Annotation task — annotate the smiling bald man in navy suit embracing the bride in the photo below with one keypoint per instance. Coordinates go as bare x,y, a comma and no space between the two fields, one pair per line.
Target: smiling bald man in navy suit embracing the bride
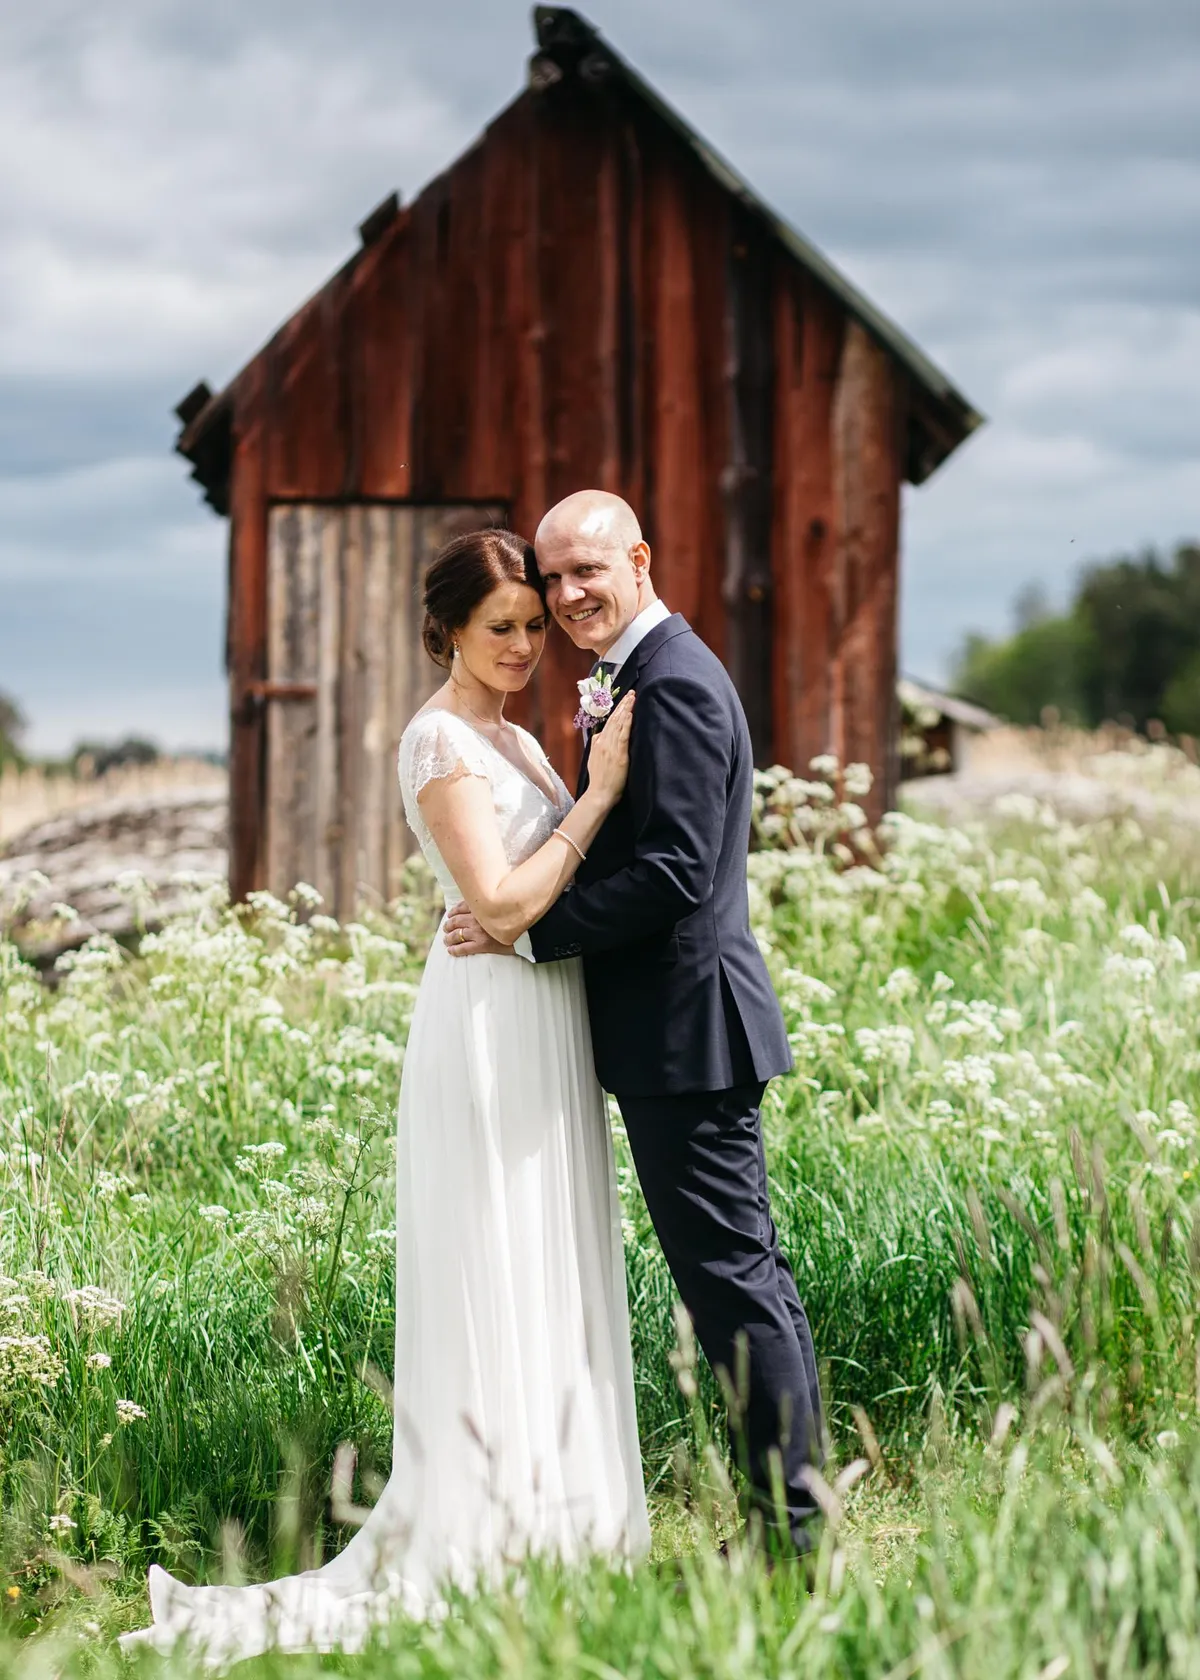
685,1024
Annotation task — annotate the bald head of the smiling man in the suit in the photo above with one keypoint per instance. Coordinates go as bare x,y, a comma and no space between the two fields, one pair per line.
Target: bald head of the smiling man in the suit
596,567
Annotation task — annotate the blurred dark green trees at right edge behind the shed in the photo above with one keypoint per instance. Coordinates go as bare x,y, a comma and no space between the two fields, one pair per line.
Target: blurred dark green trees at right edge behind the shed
1127,649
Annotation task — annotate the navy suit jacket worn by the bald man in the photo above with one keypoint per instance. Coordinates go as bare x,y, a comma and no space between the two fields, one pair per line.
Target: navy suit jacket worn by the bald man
678,990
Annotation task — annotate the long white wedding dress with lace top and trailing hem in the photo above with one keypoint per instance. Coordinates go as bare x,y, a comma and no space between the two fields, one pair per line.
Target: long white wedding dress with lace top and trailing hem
515,1425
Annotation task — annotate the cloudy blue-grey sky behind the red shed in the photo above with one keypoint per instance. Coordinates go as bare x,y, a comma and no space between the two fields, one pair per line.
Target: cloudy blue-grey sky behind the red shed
1016,184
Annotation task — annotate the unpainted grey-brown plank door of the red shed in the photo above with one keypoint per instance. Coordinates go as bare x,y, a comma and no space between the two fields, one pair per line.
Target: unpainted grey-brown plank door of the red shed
347,671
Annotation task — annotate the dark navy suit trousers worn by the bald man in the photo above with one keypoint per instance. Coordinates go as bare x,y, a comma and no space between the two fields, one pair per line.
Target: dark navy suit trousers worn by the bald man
703,1172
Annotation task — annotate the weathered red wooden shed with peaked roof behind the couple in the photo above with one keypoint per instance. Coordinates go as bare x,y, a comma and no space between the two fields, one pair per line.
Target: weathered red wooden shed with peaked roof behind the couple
589,297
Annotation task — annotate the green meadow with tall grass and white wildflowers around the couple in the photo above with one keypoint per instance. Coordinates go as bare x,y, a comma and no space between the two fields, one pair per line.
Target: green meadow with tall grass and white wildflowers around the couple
984,1170
